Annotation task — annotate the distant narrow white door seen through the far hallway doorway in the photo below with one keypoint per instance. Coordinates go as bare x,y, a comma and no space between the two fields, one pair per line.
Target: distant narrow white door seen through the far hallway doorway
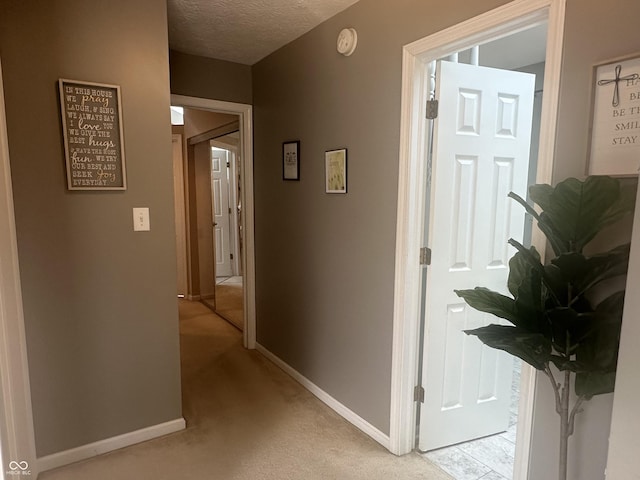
220,208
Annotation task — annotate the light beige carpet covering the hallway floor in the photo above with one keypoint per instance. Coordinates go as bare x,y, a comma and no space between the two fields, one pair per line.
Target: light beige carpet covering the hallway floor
247,420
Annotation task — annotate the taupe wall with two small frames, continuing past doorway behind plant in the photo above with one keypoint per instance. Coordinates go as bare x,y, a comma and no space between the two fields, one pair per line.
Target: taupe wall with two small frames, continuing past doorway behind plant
325,262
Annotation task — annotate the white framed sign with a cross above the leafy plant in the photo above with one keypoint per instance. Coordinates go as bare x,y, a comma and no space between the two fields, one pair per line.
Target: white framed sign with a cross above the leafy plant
615,135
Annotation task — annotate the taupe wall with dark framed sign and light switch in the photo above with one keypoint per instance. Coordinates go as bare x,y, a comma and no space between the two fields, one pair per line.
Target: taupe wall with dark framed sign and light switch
99,300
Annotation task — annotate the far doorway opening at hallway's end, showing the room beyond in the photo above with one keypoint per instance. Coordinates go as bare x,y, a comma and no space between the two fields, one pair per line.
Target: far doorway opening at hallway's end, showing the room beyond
209,216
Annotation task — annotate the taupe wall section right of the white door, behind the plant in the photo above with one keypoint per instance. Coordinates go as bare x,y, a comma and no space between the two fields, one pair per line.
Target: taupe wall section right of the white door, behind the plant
595,32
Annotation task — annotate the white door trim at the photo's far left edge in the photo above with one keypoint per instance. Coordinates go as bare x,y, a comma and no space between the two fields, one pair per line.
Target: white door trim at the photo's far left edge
16,414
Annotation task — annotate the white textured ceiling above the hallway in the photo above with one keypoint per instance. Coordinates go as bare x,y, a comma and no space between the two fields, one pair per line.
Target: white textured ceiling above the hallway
244,31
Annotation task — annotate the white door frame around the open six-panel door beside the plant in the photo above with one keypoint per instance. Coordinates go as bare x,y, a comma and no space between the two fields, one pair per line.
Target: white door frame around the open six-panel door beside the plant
510,18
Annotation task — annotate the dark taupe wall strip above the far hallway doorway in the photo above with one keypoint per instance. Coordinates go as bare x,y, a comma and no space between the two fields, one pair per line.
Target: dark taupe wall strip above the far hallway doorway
196,76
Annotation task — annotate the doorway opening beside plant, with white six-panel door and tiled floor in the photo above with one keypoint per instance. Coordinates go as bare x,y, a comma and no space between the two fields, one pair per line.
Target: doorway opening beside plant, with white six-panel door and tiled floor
480,148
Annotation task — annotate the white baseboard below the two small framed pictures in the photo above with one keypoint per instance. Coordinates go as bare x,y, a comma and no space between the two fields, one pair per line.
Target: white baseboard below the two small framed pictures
327,399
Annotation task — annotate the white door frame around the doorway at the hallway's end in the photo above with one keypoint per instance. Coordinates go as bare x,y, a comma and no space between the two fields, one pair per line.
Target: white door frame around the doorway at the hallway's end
245,112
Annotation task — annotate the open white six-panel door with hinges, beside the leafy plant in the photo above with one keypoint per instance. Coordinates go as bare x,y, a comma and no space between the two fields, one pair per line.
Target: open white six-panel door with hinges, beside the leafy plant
481,153
